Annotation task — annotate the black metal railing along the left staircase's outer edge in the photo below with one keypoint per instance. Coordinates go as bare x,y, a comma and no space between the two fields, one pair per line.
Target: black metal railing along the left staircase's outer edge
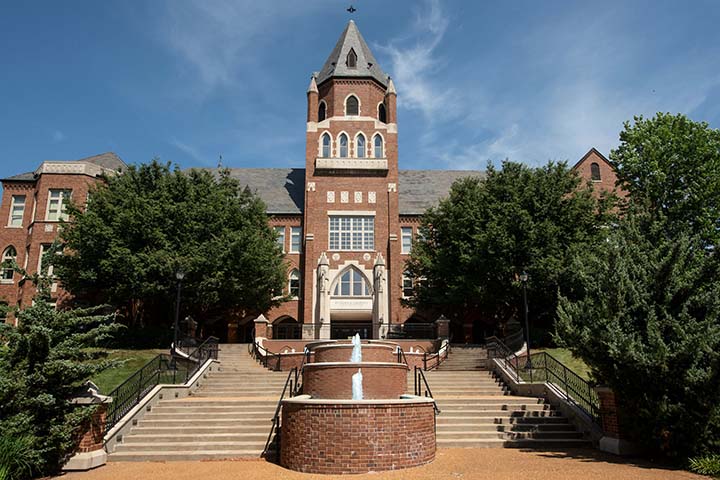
163,369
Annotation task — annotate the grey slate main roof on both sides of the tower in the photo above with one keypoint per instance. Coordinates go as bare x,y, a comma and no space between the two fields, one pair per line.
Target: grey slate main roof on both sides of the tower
283,189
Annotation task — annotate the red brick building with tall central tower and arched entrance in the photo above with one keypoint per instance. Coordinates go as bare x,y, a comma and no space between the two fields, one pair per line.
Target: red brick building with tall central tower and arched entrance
346,221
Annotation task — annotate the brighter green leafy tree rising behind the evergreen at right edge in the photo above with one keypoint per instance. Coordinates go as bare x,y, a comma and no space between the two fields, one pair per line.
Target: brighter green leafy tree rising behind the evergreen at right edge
672,164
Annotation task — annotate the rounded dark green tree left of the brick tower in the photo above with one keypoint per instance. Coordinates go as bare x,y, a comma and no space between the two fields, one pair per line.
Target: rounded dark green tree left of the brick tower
140,227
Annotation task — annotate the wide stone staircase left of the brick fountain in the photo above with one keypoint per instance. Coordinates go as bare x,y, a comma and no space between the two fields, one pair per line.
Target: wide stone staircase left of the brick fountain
229,416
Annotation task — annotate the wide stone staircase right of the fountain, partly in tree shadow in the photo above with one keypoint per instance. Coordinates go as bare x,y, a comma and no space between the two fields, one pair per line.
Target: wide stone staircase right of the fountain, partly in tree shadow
479,411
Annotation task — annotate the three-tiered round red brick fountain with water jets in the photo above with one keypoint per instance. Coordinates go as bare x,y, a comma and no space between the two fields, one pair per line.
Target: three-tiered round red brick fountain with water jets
355,416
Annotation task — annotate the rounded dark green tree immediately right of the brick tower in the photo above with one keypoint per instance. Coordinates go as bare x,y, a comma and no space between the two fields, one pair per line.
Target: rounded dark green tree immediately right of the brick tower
490,229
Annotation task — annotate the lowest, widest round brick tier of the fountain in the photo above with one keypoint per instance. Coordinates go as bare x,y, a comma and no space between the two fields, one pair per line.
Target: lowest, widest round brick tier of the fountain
340,437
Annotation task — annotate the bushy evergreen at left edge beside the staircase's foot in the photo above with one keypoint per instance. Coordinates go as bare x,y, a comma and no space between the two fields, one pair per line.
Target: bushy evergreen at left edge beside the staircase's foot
42,363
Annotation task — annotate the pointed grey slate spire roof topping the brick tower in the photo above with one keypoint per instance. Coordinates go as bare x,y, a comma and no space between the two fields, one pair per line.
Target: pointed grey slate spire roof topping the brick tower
367,66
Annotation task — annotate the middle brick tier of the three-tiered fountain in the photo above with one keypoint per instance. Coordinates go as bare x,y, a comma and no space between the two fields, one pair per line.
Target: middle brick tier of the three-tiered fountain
334,380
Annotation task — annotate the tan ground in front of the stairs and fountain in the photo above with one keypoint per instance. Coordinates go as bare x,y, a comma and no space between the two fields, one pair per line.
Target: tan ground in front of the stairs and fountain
459,463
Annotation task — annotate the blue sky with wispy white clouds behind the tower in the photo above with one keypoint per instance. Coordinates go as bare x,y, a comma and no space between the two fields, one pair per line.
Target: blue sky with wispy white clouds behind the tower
188,80
